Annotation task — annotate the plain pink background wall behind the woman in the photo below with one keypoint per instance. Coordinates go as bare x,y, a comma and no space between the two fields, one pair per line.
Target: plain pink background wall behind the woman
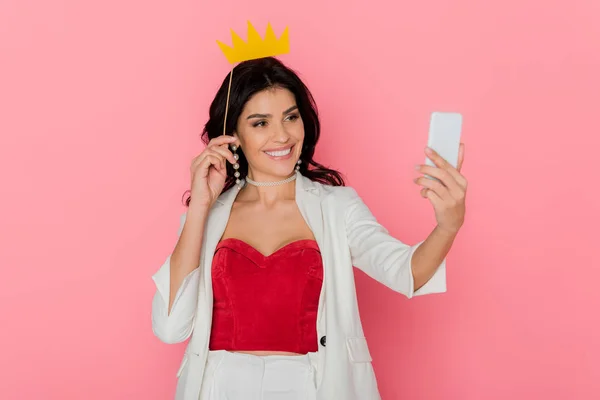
101,106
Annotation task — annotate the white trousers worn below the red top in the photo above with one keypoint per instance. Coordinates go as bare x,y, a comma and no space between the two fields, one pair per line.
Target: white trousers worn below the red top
233,376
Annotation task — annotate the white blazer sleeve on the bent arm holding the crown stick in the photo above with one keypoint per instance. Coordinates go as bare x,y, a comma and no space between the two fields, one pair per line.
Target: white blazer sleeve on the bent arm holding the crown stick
176,326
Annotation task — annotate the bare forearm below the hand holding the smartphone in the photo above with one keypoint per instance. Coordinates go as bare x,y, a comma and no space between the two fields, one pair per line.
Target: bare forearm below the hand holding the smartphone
430,254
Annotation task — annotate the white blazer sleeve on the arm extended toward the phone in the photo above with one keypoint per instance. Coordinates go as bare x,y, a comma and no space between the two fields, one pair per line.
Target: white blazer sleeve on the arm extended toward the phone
383,257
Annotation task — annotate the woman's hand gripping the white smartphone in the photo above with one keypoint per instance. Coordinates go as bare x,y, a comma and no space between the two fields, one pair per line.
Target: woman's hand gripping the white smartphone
446,195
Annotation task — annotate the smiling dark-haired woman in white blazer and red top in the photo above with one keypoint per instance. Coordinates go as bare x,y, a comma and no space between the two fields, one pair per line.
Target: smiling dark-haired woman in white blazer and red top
261,277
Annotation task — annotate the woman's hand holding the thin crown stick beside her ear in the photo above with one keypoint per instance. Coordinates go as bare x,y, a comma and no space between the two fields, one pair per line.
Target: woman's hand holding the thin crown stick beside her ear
209,171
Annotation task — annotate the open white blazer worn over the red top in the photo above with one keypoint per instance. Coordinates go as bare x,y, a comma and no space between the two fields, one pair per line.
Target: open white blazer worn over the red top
348,235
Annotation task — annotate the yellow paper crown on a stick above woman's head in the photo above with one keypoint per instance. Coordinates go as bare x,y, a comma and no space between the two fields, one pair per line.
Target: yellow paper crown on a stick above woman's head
255,47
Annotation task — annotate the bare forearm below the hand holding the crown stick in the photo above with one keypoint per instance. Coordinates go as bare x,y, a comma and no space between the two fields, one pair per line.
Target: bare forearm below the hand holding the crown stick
186,255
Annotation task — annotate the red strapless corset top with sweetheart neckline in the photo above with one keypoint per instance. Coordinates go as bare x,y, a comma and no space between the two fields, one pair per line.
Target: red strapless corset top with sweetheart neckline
266,302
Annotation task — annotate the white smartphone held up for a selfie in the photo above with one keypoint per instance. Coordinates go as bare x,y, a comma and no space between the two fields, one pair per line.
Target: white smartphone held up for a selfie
444,136
